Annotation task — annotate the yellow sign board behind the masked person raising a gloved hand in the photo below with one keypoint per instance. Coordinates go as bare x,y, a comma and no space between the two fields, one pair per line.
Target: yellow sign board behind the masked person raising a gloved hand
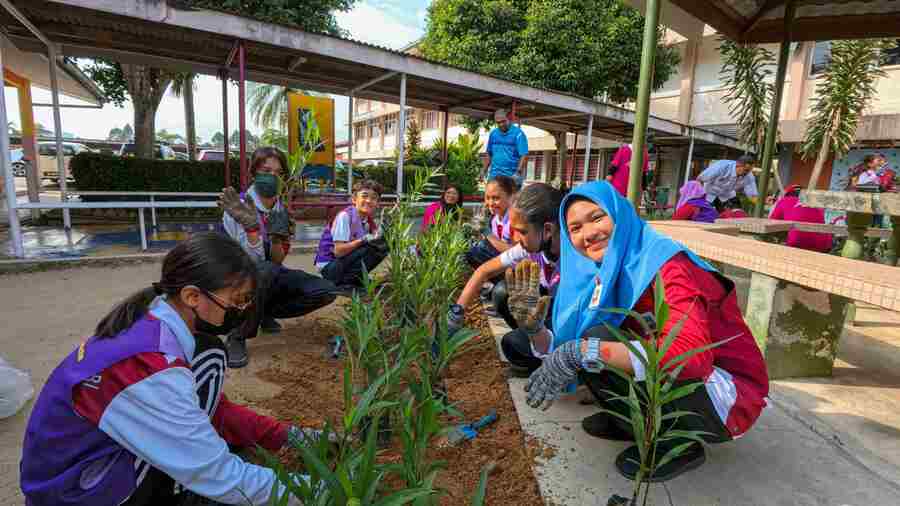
321,110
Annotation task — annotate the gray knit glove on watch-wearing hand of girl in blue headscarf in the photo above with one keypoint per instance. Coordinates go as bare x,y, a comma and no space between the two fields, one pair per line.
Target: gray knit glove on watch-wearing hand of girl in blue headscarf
559,369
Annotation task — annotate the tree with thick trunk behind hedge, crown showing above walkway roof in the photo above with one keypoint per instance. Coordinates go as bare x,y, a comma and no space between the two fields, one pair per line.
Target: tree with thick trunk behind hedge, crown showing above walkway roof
145,86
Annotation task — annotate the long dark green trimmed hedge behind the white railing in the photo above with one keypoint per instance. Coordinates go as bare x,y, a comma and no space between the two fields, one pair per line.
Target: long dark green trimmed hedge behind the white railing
99,172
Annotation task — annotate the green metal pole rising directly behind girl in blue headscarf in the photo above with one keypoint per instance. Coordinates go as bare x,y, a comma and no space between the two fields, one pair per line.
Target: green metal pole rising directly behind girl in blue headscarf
642,106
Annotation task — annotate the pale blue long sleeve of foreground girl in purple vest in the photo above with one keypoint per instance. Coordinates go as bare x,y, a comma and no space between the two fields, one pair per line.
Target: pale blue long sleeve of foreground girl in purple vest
159,420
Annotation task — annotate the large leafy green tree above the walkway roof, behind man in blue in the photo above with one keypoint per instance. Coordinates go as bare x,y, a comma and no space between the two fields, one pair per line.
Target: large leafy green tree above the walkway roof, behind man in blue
590,48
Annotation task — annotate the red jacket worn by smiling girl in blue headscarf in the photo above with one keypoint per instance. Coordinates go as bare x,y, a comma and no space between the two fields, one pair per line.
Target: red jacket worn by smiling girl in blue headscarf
713,315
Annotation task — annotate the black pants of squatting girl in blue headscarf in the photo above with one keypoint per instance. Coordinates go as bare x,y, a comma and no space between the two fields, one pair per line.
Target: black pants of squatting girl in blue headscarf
606,385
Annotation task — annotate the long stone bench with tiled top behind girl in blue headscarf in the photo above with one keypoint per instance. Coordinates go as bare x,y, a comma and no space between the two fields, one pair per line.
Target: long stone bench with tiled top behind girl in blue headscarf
796,301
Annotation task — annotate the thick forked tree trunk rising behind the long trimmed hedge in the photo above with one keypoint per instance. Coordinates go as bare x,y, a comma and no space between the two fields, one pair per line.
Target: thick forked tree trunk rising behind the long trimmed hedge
146,85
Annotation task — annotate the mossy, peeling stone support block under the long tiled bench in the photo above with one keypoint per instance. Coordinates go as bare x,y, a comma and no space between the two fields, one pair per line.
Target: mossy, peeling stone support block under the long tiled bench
796,328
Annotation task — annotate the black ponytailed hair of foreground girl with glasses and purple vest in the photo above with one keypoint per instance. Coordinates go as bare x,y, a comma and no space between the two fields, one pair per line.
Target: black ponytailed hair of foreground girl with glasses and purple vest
208,260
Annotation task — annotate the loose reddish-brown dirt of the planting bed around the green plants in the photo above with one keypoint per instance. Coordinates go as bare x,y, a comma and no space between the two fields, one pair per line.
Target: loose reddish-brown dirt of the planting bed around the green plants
309,391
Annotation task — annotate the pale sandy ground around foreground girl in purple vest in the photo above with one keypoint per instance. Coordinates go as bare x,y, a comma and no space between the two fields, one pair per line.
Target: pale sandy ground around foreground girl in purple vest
46,314
